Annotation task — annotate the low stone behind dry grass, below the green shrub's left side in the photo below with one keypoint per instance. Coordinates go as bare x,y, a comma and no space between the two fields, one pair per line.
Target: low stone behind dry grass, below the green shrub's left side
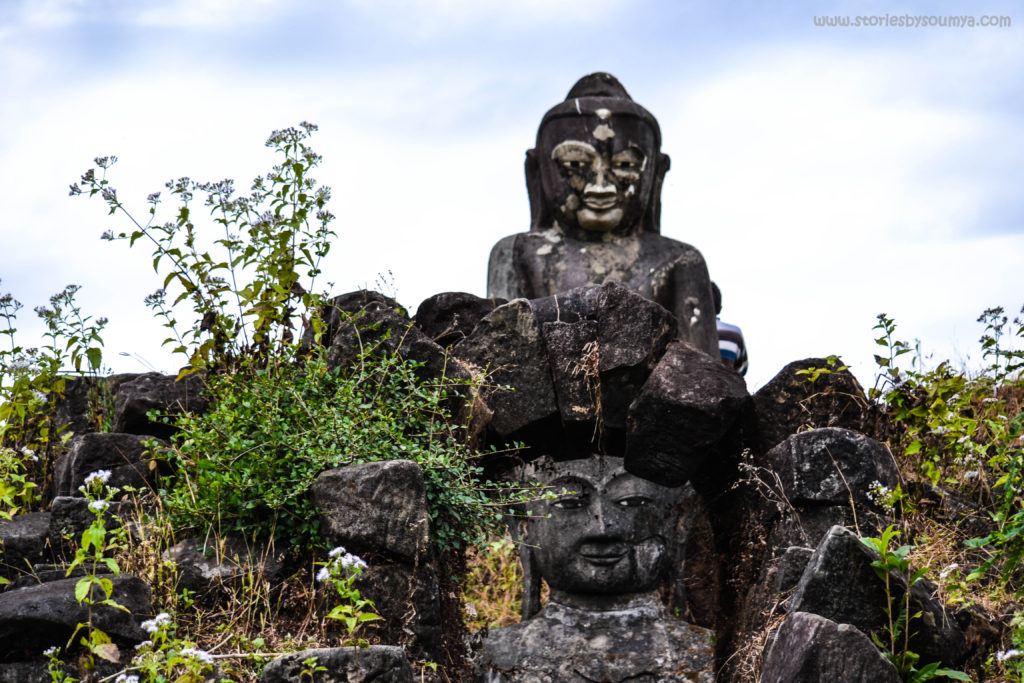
202,568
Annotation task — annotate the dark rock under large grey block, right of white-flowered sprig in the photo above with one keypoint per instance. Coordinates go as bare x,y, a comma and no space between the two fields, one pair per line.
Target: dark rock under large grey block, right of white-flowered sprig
408,599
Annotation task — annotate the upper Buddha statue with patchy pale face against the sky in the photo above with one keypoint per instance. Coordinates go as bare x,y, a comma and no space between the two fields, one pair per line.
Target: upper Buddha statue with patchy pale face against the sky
595,182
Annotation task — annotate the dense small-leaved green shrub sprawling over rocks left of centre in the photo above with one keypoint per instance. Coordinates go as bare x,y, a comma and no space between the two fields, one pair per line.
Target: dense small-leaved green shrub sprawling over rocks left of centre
248,463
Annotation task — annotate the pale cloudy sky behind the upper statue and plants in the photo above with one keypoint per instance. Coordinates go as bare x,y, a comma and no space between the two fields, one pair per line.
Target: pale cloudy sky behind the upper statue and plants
828,175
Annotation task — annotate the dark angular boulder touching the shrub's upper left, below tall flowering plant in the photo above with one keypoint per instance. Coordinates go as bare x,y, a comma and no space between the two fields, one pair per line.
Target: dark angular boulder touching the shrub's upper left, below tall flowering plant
154,392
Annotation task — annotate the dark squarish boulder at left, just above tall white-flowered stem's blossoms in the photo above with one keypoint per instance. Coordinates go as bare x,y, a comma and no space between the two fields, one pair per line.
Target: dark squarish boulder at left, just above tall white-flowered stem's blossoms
125,456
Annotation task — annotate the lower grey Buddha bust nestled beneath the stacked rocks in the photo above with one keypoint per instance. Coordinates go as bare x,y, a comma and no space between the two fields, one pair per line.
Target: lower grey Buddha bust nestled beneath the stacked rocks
603,545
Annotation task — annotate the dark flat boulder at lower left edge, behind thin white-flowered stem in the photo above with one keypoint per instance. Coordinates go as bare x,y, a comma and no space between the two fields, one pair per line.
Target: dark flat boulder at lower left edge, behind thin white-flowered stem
39,617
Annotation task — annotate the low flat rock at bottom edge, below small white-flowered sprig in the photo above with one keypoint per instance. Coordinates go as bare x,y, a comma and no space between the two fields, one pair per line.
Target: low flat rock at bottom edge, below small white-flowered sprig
380,664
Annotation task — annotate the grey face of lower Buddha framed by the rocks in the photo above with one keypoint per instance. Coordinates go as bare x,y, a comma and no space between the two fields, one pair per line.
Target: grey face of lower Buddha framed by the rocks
605,532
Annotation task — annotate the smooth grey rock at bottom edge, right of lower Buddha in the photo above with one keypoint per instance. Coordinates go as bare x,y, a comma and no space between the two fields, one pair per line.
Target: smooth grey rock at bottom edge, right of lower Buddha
810,649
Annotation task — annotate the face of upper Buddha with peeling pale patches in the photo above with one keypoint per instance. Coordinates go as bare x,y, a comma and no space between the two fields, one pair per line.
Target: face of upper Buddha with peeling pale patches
598,170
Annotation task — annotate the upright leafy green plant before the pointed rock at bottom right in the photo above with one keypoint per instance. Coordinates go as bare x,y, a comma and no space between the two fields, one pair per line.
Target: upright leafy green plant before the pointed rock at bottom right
893,563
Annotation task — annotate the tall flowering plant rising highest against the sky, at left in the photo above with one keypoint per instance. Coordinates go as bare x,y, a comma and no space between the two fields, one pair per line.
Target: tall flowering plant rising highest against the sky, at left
244,287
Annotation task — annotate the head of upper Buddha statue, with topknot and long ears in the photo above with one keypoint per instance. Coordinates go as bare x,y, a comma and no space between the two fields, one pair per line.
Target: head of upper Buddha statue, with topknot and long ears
598,167
